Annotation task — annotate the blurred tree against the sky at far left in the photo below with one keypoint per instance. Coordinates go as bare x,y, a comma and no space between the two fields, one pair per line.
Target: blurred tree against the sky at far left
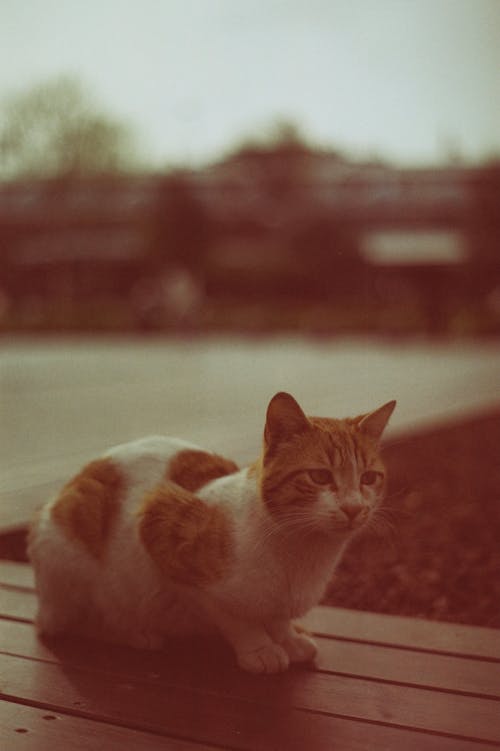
55,128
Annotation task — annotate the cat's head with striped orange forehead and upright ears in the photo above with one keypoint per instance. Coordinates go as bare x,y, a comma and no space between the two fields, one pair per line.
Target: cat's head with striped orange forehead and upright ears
322,475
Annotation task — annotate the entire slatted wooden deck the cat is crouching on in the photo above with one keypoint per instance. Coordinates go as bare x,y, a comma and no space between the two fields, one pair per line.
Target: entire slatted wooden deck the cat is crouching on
379,683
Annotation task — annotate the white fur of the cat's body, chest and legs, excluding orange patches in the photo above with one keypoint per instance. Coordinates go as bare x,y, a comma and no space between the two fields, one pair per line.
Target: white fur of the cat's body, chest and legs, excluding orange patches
275,577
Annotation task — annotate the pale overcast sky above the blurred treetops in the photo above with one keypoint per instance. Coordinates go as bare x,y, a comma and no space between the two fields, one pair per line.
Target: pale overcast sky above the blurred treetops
402,79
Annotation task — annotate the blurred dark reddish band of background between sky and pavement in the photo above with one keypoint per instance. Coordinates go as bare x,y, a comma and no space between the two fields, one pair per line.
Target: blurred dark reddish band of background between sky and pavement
264,240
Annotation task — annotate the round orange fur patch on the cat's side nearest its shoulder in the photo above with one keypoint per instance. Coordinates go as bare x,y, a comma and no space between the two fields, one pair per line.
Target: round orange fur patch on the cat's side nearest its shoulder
188,540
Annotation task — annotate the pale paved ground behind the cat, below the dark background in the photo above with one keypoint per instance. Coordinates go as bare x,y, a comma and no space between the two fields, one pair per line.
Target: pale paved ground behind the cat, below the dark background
62,402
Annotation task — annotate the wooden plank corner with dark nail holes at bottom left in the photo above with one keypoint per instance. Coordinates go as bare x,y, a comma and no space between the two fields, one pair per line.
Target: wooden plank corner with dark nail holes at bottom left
25,728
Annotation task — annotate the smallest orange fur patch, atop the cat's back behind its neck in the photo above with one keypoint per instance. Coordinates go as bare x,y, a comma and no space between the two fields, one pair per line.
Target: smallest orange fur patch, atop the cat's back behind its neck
192,469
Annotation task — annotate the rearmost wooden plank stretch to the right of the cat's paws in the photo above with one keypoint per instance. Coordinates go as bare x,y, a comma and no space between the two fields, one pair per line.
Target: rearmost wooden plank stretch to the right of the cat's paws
417,633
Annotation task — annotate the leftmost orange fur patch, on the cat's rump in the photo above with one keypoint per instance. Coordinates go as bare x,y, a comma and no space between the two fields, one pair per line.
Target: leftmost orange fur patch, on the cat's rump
88,504
